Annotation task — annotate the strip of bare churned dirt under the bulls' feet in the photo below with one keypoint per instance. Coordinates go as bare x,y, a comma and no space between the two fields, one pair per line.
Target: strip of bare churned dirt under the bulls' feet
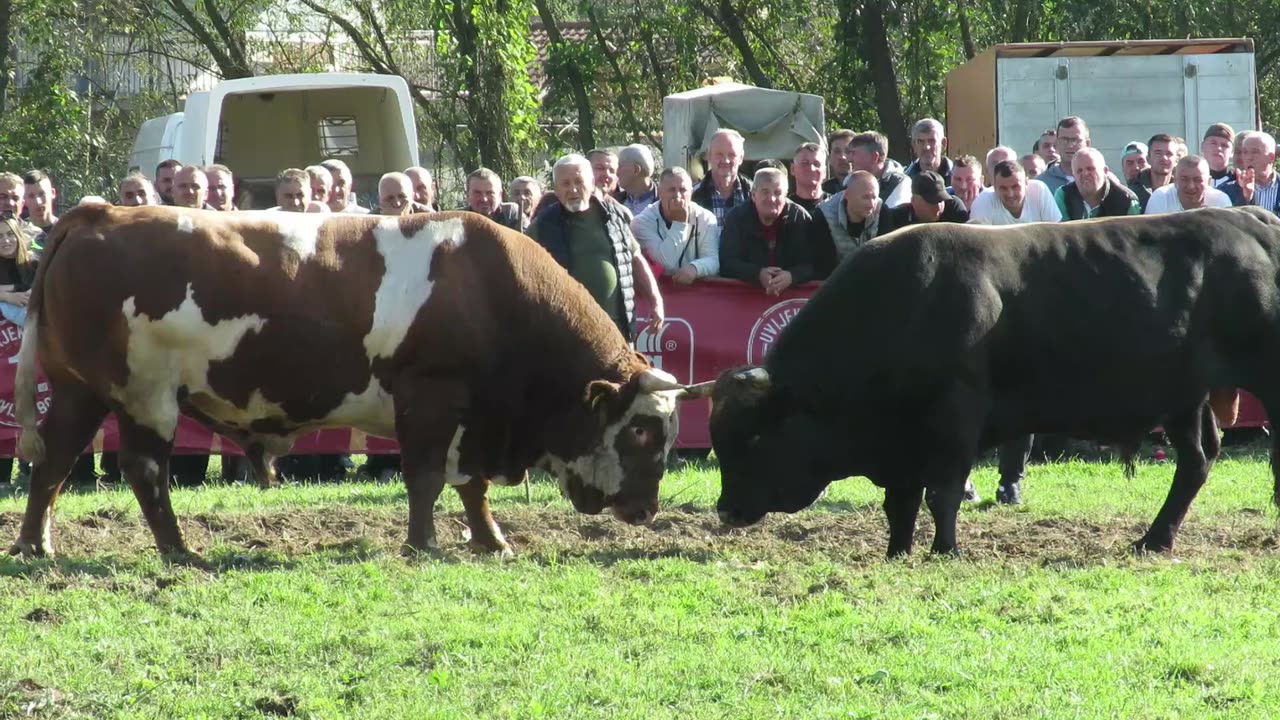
849,536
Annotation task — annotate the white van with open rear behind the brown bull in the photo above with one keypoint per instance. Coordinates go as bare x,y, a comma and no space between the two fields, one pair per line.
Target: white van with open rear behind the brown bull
260,126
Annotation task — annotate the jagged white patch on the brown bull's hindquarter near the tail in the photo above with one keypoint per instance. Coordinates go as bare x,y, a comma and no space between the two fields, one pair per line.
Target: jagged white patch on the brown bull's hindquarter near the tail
172,352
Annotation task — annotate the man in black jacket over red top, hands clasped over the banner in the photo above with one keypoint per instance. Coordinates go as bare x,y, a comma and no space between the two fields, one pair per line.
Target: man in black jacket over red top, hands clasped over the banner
771,241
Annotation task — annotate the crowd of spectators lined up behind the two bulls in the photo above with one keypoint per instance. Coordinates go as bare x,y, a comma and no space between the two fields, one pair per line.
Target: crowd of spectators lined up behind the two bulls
618,222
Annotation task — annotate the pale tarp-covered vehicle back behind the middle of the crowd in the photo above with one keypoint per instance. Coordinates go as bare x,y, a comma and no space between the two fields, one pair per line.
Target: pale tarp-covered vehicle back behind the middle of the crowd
774,122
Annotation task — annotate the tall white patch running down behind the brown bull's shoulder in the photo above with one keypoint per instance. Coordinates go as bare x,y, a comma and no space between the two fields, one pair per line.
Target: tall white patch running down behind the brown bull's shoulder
404,289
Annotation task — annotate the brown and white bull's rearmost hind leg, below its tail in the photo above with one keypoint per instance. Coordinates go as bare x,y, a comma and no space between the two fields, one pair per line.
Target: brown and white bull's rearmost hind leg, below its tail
74,417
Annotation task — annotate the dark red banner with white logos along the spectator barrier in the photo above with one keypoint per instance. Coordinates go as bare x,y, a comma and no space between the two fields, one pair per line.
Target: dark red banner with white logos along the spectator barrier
712,326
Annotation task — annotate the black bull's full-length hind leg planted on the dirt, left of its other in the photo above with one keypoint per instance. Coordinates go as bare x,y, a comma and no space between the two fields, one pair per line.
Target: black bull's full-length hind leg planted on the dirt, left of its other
1195,438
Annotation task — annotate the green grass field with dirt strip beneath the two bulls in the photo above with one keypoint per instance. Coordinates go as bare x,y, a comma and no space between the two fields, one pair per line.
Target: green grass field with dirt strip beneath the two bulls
309,610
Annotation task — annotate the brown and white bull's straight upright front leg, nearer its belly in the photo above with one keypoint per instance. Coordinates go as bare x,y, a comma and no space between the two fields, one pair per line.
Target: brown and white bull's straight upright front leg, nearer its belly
428,414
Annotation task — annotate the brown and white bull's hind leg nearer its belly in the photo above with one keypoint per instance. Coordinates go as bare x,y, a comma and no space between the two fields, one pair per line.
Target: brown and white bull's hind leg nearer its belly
145,464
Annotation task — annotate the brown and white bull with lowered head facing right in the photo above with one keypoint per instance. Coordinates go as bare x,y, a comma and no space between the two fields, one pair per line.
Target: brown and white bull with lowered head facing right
463,340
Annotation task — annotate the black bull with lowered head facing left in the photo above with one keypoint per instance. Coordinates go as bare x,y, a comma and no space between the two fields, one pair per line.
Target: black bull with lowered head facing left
940,341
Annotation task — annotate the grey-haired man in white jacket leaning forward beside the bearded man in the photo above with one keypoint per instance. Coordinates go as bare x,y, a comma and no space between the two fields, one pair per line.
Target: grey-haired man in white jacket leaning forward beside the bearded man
678,233
